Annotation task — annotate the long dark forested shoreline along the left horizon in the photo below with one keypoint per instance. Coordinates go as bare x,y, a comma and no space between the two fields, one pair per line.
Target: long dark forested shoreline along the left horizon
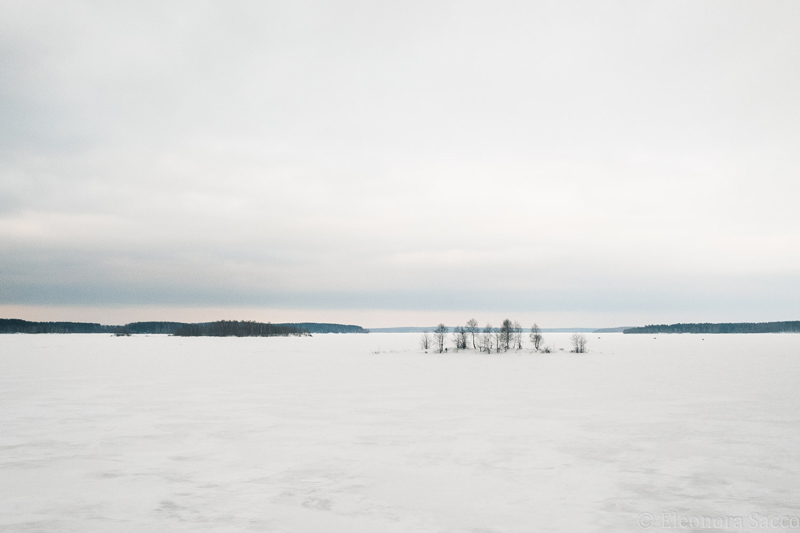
15,325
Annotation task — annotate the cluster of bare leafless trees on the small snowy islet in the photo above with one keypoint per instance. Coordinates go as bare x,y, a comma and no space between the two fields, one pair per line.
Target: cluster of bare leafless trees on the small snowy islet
488,339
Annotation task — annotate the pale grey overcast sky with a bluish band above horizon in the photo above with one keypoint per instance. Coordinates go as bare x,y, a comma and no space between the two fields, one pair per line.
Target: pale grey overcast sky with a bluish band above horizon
400,163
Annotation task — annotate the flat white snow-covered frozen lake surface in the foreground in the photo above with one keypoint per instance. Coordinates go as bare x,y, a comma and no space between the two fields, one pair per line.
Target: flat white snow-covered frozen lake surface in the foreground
364,433
